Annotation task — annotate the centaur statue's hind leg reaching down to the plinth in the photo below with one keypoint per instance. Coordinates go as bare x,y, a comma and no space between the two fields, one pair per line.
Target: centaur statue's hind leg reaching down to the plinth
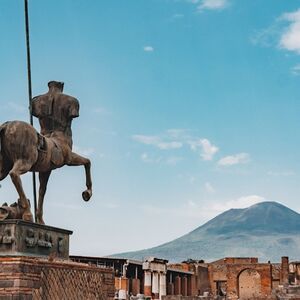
20,167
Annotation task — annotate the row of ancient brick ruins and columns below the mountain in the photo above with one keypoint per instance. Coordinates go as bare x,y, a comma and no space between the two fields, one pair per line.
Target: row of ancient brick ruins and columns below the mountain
228,278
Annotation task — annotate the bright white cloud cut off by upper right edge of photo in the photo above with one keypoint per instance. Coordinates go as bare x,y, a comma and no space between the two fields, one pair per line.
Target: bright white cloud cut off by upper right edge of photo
290,39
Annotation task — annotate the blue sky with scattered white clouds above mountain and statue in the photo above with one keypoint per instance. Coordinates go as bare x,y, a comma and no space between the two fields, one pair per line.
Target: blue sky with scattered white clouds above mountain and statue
188,108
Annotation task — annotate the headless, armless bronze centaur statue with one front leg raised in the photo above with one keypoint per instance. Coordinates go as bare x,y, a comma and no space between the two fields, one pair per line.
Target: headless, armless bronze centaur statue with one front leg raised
23,149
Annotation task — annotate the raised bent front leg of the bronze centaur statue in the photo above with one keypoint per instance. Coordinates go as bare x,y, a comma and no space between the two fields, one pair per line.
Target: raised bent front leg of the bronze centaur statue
77,160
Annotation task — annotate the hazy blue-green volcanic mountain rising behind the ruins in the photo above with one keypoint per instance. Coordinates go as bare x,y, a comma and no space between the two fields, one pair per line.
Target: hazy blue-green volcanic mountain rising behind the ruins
267,230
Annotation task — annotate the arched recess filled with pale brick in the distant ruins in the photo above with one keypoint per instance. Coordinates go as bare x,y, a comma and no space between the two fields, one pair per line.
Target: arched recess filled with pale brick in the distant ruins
249,283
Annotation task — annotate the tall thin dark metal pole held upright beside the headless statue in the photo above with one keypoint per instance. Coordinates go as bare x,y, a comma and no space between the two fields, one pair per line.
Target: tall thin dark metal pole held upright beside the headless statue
30,94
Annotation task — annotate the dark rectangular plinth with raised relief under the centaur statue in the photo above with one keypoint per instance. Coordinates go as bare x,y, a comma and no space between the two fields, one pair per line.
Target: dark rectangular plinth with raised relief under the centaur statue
21,238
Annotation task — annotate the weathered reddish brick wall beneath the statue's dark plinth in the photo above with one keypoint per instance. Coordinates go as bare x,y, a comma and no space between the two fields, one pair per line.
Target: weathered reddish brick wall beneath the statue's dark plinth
34,278
